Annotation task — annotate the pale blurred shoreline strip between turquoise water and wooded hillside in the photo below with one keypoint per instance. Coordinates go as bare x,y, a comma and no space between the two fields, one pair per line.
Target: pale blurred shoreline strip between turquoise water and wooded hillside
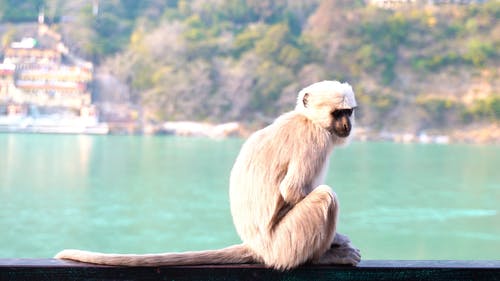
472,134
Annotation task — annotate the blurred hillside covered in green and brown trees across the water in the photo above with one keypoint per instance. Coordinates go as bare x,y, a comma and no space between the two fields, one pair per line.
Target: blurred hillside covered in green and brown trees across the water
415,69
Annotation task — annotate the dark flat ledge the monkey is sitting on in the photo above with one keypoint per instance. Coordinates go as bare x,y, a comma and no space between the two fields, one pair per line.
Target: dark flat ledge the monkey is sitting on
51,269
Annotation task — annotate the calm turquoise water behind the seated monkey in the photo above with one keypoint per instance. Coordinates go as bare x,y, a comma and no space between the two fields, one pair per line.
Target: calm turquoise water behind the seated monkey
154,194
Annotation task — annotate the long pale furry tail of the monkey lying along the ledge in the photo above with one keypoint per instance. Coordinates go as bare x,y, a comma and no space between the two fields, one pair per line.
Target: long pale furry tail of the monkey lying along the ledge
230,255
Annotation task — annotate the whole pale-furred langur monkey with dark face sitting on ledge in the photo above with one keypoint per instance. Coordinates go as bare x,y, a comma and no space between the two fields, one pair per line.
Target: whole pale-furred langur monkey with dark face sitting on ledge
282,211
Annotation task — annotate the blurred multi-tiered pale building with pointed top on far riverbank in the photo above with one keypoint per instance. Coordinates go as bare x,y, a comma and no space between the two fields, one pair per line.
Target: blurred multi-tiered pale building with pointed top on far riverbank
41,81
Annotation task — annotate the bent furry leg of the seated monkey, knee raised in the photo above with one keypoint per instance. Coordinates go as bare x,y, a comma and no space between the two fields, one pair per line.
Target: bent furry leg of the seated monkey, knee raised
305,233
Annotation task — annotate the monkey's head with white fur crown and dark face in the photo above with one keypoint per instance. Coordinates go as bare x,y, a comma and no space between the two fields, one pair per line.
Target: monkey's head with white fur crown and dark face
330,104
